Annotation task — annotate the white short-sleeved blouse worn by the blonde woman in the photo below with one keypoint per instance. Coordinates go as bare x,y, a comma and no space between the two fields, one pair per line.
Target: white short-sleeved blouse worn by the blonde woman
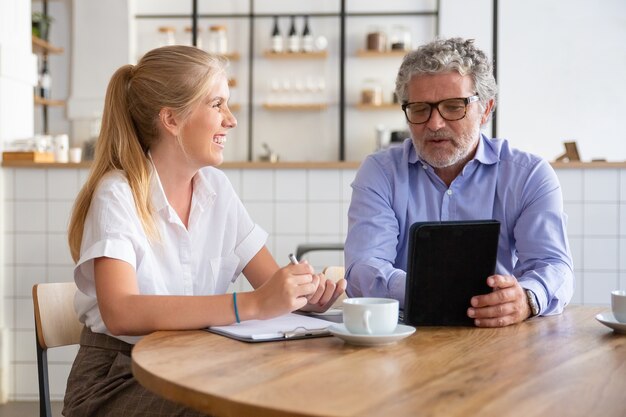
201,260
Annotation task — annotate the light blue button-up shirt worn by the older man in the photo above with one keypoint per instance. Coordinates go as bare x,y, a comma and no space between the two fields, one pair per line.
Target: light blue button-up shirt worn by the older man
394,188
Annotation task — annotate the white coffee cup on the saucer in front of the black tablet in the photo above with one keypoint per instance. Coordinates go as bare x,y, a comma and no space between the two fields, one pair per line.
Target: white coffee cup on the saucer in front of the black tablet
371,316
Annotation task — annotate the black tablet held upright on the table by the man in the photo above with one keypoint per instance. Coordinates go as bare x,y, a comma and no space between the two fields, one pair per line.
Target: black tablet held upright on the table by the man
448,263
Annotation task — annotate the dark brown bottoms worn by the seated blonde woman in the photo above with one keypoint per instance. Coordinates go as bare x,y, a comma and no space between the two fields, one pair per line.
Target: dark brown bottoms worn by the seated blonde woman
101,383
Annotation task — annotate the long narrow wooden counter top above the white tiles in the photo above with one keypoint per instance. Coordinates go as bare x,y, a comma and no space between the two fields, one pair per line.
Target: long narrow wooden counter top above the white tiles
300,165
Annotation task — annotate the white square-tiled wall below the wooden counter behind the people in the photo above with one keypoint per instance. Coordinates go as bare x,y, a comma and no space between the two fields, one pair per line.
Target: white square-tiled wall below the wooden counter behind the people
295,207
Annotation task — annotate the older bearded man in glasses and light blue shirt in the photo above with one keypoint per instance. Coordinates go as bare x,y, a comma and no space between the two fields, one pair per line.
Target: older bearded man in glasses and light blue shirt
448,170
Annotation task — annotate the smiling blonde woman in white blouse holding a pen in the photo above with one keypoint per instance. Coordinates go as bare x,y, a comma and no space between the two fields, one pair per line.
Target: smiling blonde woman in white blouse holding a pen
157,233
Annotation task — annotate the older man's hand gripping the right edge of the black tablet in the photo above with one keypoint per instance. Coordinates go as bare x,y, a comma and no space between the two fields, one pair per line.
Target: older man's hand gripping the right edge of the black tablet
506,305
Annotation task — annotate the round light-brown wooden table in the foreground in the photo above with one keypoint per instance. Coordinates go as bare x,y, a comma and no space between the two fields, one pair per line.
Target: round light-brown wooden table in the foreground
566,365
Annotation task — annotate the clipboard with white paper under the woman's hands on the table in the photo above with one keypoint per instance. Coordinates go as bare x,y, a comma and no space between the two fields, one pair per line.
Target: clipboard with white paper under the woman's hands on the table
287,327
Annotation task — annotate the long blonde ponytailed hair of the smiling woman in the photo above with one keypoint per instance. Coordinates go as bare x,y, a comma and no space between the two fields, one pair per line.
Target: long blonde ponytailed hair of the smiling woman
177,77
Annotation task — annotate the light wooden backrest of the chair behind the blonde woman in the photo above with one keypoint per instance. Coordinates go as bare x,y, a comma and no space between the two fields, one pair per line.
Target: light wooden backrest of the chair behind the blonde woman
55,319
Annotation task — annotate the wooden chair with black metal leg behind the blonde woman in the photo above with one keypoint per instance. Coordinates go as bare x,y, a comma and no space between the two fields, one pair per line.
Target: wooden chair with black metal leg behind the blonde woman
56,324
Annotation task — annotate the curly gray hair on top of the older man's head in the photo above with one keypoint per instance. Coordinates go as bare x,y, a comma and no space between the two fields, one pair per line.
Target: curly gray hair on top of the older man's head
445,55
